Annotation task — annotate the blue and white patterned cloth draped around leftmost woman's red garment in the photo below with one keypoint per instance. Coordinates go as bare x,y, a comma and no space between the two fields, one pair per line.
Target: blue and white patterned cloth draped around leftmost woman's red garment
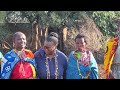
8,63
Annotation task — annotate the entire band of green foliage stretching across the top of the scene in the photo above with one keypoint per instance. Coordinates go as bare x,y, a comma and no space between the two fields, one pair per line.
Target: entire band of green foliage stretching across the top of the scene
103,19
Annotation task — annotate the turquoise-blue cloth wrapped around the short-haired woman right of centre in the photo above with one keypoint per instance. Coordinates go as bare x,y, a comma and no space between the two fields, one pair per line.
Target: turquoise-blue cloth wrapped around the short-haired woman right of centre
73,71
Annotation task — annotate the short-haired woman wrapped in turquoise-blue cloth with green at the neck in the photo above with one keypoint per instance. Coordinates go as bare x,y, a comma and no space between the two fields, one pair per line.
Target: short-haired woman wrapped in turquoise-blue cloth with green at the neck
81,63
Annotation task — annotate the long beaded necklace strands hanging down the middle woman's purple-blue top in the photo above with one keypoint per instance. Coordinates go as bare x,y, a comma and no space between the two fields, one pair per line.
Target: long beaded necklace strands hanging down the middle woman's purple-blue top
56,68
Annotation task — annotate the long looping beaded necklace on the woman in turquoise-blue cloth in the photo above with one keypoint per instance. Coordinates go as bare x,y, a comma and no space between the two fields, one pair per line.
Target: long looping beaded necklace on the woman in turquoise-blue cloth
78,66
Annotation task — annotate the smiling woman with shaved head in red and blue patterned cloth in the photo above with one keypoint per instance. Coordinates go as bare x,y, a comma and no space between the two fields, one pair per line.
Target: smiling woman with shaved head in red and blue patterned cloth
18,63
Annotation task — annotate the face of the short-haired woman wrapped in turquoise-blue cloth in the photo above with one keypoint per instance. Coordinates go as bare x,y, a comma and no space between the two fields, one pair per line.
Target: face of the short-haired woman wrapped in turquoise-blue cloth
80,44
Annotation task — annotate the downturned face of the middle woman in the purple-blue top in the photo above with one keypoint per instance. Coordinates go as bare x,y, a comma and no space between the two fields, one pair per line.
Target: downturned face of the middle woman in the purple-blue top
49,48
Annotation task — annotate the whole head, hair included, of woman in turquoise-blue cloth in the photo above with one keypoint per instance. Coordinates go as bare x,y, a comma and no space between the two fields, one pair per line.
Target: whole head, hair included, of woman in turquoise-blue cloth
80,41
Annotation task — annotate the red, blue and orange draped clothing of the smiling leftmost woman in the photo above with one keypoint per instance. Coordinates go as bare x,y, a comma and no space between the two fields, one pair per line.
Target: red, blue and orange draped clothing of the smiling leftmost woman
20,66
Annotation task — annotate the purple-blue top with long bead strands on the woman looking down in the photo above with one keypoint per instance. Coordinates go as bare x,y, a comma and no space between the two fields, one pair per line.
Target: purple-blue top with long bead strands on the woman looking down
51,68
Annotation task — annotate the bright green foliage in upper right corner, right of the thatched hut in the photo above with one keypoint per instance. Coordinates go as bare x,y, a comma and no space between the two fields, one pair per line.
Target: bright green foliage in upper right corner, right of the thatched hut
104,20
